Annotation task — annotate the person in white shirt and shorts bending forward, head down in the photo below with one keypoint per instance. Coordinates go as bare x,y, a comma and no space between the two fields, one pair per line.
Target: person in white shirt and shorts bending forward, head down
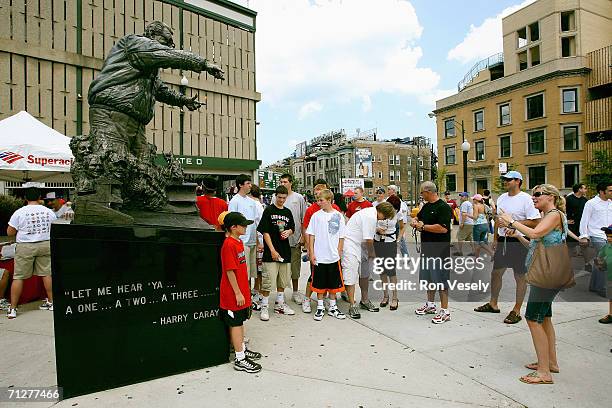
359,251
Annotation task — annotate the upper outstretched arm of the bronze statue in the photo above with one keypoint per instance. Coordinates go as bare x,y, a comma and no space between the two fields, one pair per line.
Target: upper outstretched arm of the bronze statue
147,55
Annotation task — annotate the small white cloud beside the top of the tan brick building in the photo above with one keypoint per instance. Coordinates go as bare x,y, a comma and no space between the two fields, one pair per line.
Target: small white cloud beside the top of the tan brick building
484,40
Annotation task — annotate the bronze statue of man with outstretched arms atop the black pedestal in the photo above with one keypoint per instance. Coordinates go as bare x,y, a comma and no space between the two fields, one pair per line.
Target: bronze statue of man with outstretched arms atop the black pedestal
114,165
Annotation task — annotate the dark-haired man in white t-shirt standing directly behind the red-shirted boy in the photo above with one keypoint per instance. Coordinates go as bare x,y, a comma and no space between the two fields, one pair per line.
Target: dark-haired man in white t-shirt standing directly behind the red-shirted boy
245,205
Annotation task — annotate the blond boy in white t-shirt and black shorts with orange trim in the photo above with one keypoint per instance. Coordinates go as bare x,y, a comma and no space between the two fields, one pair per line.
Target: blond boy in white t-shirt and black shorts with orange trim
325,243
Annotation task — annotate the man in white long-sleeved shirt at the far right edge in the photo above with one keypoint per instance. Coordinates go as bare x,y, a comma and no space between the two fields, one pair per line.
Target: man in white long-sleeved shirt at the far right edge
597,213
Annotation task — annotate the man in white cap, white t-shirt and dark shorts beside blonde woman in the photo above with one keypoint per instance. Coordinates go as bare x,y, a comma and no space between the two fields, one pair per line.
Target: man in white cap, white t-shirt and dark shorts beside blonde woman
509,252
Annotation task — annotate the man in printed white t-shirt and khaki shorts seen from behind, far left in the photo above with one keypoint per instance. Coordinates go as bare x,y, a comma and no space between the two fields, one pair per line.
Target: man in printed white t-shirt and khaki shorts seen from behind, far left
31,224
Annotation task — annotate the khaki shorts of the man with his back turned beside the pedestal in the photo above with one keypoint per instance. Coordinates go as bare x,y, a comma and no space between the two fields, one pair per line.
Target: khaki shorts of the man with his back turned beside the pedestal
32,258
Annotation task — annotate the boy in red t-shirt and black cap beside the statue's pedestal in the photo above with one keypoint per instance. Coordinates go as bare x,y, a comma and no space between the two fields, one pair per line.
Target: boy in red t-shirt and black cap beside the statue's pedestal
235,293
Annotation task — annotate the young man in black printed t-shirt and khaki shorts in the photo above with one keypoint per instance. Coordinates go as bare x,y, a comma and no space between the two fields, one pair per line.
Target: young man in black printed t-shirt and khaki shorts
276,225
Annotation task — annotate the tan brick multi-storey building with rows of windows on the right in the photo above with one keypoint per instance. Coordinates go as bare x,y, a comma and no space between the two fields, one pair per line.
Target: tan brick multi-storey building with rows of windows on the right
532,107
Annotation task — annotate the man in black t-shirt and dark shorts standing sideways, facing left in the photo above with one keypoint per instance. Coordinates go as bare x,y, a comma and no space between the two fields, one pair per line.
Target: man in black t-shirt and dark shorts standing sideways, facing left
434,221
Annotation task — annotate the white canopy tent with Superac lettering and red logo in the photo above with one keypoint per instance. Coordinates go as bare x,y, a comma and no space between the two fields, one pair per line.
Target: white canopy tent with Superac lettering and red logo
32,151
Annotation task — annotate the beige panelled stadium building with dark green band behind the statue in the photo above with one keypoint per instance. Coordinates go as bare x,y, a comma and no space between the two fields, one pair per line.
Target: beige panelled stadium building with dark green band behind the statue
50,51
